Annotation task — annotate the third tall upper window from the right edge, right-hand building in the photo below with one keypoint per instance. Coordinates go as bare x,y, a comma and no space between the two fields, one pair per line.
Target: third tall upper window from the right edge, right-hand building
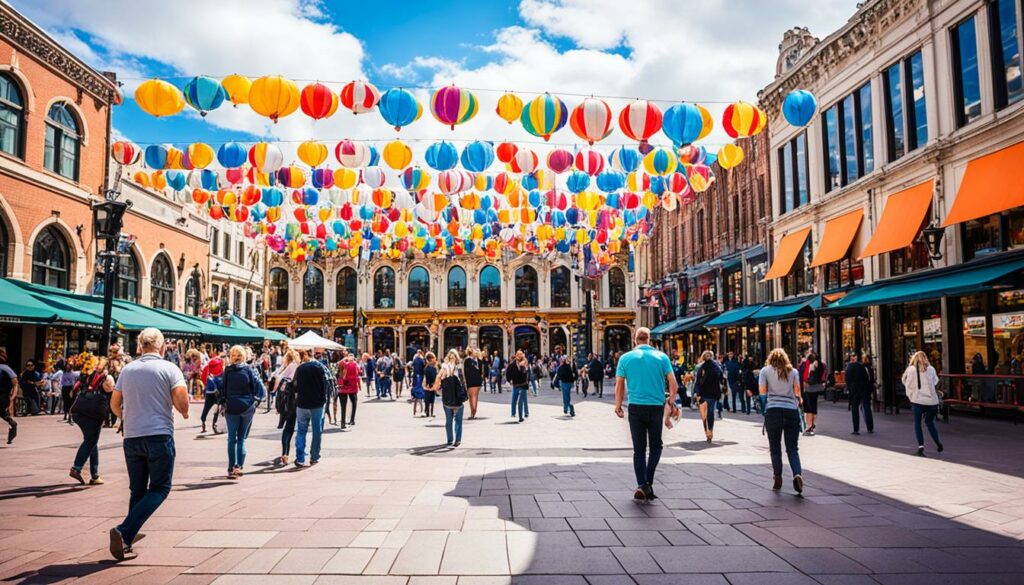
906,111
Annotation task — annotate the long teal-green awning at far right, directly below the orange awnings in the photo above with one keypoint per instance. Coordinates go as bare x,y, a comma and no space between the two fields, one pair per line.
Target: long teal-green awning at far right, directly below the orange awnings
955,281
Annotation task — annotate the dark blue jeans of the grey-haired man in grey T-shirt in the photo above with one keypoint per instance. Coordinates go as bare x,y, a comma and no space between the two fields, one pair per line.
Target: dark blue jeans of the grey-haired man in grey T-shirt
151,466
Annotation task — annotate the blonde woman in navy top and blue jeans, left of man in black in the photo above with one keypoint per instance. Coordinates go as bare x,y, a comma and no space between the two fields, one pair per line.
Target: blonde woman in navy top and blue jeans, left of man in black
240,394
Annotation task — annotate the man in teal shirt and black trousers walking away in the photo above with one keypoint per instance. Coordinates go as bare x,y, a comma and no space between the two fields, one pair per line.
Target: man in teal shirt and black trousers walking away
646,373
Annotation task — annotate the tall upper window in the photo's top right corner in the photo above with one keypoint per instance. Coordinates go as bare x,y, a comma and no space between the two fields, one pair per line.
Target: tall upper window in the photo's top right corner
1006,44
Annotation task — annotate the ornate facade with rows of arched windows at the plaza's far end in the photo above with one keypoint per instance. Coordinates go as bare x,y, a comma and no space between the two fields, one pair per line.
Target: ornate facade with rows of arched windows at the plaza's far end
438,304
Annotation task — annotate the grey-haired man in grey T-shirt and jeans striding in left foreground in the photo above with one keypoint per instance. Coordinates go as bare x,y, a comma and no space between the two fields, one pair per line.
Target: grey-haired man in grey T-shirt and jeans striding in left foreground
144,397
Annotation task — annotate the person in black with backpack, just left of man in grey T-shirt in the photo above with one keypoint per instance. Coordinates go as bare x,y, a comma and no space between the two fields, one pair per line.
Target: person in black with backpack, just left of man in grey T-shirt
90,412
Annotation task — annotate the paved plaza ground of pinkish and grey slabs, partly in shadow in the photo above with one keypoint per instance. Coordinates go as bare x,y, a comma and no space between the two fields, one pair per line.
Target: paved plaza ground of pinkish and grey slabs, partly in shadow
548,502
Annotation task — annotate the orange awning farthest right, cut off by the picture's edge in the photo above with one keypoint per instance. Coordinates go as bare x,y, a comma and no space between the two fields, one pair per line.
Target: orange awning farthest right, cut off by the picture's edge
992,184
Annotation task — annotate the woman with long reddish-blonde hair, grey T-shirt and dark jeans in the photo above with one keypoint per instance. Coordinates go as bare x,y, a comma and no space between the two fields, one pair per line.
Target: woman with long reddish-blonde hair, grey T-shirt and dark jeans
780,384
